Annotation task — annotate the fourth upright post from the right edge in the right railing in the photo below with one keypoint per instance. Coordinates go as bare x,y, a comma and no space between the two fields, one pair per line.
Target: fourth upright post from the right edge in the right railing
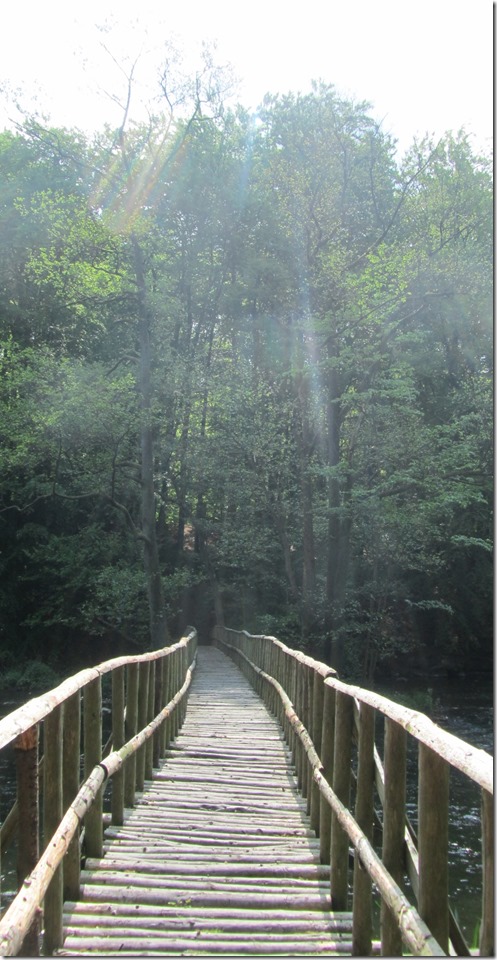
362,918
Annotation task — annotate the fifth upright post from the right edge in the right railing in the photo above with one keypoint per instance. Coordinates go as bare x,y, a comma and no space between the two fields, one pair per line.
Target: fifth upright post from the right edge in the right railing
341,785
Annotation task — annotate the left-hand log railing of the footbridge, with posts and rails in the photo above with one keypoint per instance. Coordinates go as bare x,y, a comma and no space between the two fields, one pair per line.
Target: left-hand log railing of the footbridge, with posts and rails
148,703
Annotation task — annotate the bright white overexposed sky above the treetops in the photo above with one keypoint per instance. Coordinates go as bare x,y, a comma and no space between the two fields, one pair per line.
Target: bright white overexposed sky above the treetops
426,67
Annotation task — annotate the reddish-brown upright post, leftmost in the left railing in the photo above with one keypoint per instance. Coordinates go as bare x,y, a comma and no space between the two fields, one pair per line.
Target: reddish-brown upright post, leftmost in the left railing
26,757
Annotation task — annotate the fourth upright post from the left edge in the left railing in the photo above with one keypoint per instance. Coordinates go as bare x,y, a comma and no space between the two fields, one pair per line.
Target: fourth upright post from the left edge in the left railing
92,699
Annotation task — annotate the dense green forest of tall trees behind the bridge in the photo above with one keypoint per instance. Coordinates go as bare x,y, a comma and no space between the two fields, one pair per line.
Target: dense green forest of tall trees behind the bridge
246,374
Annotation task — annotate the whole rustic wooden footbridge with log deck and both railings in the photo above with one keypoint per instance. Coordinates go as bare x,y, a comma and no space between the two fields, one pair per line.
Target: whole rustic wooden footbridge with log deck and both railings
237,806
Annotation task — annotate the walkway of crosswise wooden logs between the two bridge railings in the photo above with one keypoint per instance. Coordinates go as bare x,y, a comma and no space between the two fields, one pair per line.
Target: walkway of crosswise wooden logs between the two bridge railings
217,857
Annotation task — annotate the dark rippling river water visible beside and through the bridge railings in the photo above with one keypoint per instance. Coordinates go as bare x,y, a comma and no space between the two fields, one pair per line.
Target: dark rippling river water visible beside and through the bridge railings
463,708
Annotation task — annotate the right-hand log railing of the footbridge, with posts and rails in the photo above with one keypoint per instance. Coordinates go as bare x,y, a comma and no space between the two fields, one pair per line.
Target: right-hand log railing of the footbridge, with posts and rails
330,727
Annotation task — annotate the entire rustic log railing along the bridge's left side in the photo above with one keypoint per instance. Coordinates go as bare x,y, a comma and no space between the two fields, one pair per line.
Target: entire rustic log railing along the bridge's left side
161,703
